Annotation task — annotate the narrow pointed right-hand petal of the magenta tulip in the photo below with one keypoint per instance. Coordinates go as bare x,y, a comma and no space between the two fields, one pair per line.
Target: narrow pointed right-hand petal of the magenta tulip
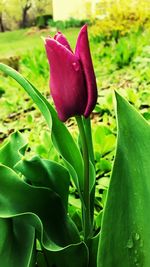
82,51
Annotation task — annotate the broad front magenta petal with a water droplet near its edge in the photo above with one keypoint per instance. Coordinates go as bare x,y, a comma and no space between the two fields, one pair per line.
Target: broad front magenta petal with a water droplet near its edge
66,80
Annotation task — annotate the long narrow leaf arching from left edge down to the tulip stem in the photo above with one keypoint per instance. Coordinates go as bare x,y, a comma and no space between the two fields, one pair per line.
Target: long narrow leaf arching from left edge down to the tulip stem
61,137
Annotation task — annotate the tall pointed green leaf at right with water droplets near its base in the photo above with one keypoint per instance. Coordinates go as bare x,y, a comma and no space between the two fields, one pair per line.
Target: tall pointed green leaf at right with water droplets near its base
125,234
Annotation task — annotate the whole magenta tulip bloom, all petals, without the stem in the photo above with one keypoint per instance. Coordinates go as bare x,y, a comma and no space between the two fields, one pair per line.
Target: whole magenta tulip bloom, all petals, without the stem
72,79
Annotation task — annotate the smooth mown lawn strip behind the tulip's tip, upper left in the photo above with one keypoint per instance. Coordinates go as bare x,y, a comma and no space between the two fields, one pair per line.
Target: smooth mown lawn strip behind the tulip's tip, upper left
18,42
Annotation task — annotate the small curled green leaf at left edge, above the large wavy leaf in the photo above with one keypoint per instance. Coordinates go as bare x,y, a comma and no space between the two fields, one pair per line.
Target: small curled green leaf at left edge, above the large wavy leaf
13,150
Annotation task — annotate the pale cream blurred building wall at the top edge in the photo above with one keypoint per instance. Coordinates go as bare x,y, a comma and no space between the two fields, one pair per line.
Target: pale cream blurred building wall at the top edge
79,9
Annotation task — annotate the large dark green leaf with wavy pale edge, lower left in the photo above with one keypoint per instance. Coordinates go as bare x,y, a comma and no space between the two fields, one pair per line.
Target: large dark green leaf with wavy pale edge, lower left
41,207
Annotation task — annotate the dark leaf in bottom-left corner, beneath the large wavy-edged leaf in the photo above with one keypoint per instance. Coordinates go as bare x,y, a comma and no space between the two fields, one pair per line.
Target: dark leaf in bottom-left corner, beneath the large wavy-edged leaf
17,243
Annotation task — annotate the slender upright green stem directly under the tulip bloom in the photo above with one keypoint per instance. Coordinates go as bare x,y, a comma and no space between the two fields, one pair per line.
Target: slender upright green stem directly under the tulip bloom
86,188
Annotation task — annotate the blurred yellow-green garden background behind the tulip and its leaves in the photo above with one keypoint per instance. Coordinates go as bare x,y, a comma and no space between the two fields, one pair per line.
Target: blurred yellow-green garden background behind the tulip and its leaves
119,34
